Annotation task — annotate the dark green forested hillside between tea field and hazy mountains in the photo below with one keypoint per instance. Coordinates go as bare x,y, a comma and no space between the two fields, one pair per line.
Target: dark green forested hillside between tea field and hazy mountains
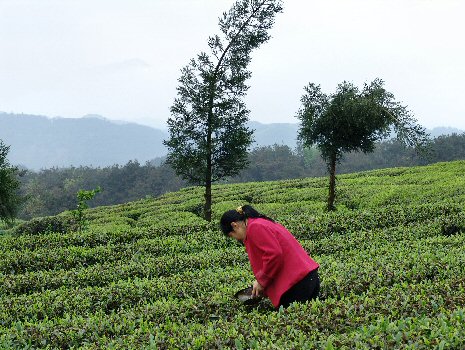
51,191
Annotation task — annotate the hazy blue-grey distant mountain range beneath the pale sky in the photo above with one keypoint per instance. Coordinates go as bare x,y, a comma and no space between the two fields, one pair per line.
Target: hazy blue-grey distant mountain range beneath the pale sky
39,142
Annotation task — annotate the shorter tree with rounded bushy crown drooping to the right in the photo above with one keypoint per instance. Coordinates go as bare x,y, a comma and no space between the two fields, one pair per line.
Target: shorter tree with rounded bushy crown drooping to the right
352,120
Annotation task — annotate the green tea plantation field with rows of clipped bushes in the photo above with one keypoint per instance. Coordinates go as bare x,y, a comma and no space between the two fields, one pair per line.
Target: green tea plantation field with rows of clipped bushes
153,275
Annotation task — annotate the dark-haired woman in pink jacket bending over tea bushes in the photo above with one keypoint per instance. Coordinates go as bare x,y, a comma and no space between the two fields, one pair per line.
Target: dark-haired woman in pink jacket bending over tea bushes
283,270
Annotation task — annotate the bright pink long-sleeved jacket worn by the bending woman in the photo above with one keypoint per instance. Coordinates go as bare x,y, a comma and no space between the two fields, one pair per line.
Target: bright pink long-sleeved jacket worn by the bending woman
277,259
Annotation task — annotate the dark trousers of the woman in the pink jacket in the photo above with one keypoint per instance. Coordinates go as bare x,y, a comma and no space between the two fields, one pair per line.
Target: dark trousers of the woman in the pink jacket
306,289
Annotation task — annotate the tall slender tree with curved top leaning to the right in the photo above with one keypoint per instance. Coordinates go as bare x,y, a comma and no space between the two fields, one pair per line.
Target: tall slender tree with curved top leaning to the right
208,133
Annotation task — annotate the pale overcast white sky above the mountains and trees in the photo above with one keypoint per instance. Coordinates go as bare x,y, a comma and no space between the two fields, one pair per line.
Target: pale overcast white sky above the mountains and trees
122,58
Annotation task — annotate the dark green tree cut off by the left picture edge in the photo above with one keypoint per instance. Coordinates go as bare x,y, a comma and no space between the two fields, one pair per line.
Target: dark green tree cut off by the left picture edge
10,199
